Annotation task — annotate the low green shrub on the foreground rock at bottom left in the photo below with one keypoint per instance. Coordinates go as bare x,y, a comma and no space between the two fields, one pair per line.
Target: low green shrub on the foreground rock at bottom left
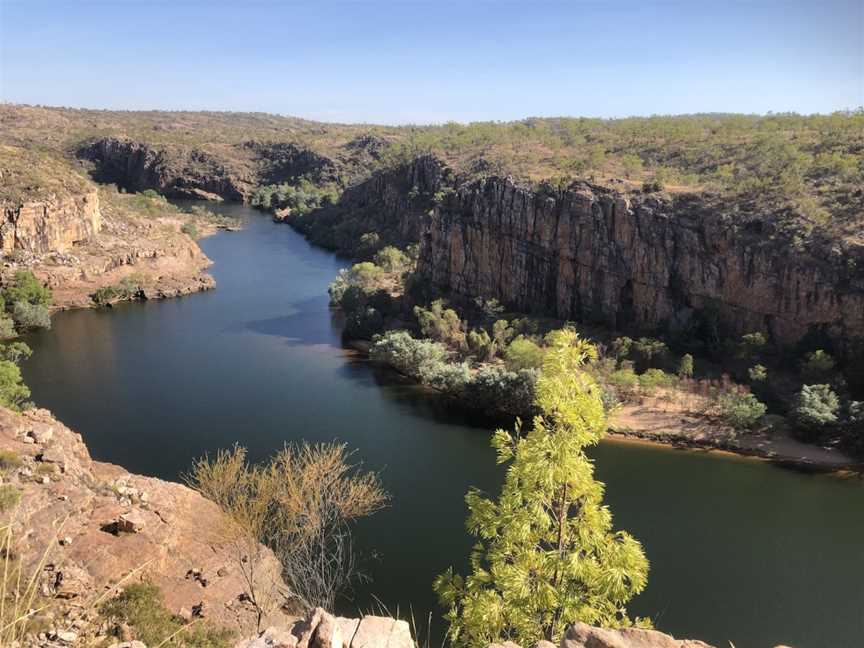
142,607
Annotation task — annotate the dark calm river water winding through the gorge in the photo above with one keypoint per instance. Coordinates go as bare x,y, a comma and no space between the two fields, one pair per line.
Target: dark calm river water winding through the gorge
740,550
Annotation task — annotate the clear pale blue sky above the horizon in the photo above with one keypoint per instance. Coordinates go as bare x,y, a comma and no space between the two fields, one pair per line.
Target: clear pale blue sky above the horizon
397,62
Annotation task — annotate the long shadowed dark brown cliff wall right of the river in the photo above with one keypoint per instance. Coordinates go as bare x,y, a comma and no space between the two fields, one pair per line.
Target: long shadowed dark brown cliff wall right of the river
638,262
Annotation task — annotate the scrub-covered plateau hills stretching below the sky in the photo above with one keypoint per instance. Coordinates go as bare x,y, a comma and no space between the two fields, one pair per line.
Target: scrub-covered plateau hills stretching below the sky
808,166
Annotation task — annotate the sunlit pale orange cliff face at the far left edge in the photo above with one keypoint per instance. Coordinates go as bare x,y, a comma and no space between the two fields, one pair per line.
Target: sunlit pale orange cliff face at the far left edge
52,225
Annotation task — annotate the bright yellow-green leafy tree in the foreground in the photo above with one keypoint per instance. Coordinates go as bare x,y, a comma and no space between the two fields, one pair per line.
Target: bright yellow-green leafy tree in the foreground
546,555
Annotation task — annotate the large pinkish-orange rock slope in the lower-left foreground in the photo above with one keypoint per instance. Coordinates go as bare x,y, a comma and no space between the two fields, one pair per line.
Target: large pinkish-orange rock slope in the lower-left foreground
100,527
